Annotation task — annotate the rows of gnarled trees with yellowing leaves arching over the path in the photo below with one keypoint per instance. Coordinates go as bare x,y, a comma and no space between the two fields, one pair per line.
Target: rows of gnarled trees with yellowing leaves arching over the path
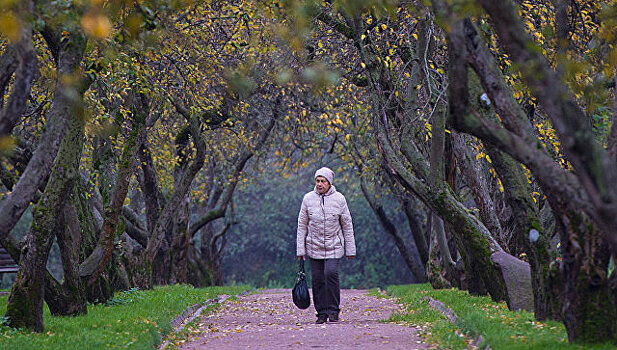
478,133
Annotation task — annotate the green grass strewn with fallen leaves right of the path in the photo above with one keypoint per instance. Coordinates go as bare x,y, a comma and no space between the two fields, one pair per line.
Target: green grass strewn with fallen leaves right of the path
501,328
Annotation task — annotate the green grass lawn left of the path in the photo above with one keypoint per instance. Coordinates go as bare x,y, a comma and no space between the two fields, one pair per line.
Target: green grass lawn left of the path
134,319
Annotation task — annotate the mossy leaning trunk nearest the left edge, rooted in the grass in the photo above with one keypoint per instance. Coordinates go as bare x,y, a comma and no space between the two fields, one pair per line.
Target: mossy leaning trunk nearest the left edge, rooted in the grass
25,304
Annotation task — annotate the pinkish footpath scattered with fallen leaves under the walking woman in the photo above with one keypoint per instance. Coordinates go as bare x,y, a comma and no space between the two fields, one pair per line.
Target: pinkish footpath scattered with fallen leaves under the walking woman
269,320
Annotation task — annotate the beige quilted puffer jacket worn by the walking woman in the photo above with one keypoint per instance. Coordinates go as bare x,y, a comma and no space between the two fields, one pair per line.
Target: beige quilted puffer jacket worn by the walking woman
325,230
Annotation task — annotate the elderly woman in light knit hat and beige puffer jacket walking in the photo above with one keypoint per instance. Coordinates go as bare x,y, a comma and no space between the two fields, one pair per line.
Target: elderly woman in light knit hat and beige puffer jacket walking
325,234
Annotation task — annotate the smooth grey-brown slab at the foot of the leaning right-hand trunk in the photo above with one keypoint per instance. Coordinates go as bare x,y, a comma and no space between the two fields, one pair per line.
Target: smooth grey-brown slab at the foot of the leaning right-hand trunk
517,276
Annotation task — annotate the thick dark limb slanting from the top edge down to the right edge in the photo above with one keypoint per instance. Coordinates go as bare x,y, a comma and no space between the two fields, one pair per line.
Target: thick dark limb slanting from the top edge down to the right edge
594,168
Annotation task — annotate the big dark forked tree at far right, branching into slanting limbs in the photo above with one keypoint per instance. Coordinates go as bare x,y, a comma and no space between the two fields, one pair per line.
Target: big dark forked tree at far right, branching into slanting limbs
586,230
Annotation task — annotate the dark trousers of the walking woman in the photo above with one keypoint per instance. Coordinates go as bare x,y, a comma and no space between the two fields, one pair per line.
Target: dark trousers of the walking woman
326,290
